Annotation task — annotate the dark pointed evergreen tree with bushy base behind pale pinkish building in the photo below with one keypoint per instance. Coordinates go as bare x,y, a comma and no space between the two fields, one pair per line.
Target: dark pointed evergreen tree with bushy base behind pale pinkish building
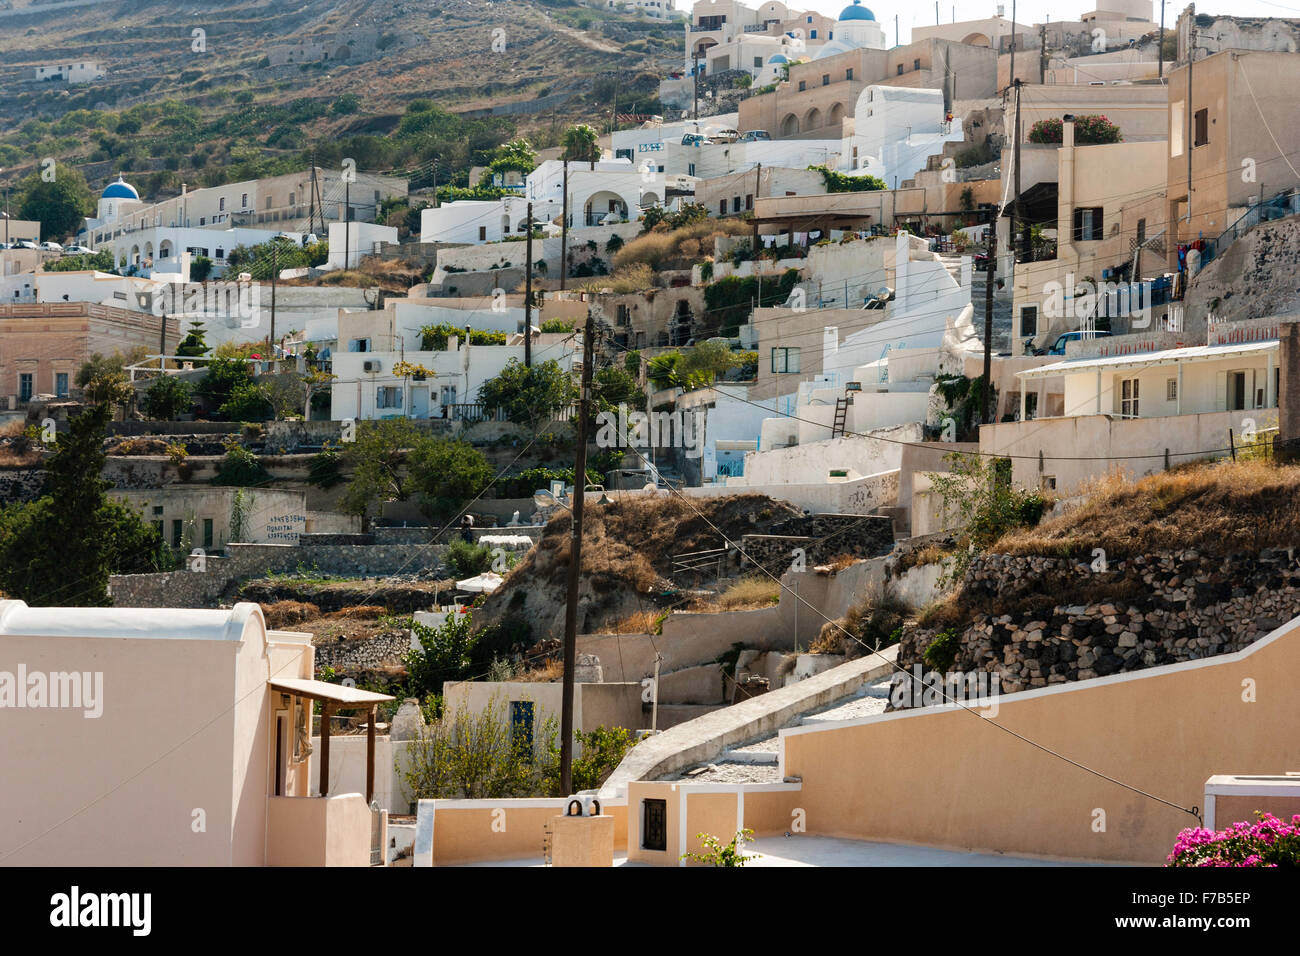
110,538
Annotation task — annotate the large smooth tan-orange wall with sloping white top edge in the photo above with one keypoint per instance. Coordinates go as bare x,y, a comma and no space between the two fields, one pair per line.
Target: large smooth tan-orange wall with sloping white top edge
1163,730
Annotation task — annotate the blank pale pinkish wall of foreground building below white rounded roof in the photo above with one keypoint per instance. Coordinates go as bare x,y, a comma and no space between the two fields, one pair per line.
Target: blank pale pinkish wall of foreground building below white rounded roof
123,789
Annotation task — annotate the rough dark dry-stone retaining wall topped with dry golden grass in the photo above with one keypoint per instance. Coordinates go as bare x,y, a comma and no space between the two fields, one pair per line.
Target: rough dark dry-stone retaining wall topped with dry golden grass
1149,611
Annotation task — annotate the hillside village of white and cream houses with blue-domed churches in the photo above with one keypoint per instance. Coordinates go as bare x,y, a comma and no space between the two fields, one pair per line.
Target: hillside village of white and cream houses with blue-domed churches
642,423
